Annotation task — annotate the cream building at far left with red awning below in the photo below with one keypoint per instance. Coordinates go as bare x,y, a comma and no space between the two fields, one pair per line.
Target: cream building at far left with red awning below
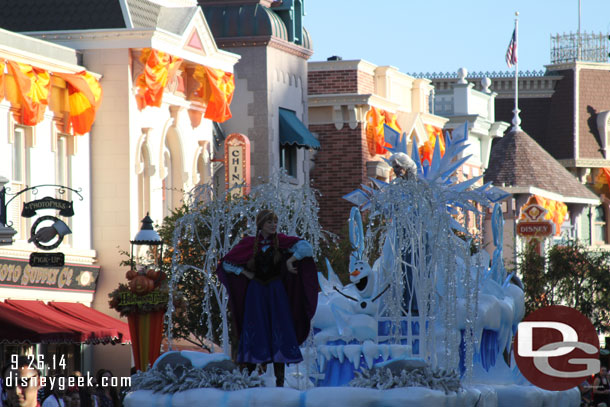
45,155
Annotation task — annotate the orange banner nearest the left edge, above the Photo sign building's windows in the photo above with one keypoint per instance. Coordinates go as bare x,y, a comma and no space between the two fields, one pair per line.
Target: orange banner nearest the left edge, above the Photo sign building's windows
31,91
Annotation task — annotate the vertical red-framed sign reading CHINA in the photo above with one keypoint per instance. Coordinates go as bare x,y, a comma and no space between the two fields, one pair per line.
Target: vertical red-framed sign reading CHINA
237,164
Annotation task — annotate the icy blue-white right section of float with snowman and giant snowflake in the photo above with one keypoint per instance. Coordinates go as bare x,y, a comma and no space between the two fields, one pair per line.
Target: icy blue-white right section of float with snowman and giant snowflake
426,298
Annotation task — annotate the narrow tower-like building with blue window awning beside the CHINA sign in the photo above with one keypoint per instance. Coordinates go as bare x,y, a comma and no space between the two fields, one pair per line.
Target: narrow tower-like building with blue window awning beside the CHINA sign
270,104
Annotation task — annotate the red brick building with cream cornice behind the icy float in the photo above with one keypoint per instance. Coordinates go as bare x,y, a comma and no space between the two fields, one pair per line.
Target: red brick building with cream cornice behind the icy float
340,95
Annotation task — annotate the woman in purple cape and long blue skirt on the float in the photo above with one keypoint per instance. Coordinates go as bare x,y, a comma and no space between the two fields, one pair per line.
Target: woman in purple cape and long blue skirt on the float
272,283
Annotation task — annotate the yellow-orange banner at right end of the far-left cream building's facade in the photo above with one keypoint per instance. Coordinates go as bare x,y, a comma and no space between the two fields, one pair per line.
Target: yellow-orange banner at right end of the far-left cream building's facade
85,97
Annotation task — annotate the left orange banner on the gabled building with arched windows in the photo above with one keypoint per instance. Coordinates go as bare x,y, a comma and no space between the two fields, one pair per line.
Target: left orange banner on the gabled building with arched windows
159,68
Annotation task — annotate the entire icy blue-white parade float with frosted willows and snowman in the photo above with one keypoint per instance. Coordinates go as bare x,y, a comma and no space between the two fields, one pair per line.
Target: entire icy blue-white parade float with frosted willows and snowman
429,322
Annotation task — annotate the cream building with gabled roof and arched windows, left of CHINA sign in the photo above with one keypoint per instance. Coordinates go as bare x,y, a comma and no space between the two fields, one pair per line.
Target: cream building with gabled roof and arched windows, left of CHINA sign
147,147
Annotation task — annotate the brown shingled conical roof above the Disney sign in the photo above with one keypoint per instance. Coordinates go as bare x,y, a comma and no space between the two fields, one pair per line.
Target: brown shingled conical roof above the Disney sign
517,160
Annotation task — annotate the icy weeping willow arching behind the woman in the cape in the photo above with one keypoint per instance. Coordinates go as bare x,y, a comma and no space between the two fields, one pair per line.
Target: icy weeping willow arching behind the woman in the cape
198,234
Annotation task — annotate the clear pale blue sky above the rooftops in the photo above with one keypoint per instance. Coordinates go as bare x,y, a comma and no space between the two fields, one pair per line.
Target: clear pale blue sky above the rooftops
443,35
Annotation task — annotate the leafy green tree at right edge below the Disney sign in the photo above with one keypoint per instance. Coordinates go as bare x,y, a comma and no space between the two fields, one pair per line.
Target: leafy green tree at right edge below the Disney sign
570,275
